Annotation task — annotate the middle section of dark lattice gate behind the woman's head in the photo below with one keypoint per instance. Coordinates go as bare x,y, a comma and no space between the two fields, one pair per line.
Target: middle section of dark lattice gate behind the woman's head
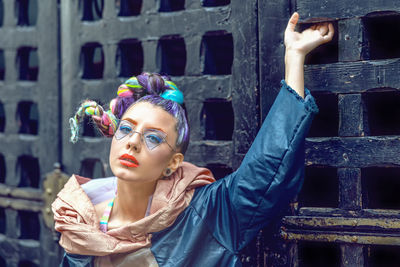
198,43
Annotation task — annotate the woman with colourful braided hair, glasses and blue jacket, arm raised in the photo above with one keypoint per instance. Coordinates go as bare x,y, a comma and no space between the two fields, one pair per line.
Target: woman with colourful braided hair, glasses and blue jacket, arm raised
162,211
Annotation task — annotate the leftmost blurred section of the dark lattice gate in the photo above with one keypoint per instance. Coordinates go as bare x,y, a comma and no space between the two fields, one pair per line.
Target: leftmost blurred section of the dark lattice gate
28,127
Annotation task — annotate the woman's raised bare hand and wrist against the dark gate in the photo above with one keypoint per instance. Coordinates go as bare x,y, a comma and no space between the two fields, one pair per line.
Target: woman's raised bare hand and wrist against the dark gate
298,45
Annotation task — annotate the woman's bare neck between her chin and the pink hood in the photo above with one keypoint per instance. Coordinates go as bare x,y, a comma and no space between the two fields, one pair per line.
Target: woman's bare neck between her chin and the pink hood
131,201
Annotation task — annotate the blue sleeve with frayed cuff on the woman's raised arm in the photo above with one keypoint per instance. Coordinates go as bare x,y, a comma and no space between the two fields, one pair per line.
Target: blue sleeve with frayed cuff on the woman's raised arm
238,206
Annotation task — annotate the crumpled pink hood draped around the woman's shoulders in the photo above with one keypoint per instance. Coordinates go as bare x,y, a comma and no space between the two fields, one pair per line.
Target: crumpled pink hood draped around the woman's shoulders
75,217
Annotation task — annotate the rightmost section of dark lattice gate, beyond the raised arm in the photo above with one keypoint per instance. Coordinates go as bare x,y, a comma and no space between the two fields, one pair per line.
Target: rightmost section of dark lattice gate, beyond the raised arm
348,209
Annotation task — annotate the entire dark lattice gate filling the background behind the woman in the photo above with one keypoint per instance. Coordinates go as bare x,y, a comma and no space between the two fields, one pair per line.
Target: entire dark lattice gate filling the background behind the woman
227,58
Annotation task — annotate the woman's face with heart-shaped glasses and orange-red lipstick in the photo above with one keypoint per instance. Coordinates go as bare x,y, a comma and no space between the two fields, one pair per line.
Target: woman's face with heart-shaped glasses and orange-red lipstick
131,158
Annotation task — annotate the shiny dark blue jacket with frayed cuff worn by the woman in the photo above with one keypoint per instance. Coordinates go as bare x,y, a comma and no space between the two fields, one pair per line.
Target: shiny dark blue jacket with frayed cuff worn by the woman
225,216
